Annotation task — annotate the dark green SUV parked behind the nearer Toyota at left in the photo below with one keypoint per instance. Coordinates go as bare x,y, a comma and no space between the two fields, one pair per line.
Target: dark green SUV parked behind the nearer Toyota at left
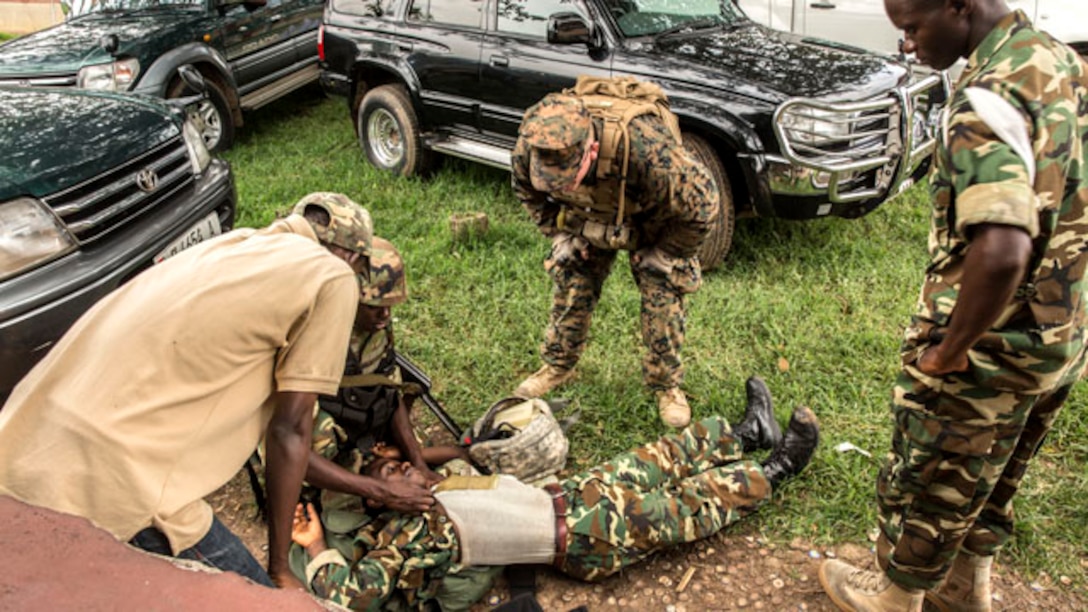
250,53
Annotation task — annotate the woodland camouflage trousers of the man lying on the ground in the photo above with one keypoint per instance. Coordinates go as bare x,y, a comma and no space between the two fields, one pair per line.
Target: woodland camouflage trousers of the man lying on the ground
685,487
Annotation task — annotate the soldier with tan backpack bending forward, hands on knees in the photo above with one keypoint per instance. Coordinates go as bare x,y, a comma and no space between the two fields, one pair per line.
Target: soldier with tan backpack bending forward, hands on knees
596,182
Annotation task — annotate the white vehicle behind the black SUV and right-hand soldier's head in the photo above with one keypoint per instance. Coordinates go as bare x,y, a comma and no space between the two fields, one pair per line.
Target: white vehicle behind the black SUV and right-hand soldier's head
863,23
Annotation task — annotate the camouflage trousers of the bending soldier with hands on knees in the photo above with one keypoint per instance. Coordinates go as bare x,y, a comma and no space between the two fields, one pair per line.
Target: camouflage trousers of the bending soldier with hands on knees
578,287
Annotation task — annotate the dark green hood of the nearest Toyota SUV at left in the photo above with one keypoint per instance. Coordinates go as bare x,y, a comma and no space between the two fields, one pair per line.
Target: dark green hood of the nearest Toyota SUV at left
57,139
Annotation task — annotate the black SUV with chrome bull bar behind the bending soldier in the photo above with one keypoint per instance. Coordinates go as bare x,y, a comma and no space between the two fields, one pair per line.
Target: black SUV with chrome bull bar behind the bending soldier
789,127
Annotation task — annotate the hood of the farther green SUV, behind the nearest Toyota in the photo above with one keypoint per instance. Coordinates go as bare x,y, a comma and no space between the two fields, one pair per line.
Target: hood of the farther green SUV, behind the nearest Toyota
70,46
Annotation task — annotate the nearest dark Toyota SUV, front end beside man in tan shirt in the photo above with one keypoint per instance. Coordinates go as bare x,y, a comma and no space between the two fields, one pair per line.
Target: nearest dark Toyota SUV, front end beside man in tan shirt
94,188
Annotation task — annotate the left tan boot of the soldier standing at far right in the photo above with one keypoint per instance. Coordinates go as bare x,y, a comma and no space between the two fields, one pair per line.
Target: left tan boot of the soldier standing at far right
862,591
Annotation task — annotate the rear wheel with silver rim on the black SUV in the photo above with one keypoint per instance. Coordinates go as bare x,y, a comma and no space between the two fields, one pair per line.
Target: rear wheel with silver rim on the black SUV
390,133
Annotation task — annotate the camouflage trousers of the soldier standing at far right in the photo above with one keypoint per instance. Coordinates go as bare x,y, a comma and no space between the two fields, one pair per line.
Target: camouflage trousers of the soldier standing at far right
959,454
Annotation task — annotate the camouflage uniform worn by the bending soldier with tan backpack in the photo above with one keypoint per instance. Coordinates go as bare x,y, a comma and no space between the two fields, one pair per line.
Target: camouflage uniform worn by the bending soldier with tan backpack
677,204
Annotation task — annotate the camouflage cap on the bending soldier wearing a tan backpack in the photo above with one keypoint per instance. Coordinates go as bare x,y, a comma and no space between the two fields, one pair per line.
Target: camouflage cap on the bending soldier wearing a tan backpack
557,130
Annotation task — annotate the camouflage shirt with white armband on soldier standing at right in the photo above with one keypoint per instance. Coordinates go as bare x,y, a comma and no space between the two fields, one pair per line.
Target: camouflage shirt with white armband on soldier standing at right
980,178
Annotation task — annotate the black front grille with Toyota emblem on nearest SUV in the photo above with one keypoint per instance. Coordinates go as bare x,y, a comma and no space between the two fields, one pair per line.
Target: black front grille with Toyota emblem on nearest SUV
95,209
